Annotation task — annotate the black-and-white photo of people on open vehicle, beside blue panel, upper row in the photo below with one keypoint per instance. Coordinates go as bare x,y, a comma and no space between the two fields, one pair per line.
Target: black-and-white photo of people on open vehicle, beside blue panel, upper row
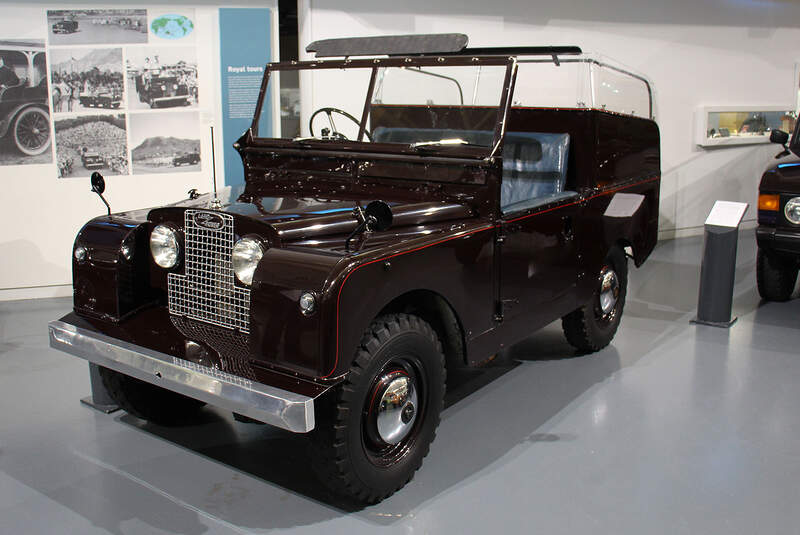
161,77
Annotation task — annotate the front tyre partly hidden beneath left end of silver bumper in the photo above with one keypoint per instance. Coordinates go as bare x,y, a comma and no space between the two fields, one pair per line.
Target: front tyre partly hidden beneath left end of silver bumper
149,402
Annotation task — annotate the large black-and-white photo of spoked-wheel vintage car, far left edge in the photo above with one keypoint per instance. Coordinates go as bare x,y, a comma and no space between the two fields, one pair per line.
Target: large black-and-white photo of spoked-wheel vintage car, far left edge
24,112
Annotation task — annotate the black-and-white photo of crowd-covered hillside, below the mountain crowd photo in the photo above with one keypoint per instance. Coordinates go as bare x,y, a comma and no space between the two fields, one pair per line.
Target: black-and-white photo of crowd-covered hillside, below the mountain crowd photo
87,143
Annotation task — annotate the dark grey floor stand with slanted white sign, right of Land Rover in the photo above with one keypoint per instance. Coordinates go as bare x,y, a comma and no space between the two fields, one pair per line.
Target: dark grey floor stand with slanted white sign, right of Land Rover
718,269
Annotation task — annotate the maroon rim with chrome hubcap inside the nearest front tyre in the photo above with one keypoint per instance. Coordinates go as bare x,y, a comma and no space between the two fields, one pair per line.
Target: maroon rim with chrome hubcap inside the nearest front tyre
393,412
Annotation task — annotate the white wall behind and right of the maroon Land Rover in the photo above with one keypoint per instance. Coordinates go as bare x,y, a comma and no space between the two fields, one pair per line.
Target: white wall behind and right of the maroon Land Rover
697,53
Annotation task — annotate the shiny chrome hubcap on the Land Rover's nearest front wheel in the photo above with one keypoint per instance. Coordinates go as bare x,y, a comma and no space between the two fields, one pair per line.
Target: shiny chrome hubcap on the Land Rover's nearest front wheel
397,408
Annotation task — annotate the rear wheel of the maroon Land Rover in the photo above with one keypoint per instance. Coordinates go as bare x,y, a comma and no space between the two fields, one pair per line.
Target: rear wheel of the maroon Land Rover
591,327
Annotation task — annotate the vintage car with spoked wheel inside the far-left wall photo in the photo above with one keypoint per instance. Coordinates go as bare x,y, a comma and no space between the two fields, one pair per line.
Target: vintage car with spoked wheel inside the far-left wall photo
24,107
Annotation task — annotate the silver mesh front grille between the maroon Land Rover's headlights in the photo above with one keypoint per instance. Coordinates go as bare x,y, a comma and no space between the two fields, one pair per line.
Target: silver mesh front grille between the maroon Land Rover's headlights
207,292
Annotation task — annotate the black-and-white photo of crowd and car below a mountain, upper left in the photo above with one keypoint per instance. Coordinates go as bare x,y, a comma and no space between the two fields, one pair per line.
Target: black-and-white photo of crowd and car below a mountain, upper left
86,79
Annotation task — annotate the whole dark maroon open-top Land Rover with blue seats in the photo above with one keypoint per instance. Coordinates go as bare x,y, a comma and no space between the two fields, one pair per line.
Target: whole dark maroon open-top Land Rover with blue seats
443,204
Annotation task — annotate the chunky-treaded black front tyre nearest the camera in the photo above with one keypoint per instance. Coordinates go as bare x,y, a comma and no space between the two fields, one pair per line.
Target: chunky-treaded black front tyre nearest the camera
349,451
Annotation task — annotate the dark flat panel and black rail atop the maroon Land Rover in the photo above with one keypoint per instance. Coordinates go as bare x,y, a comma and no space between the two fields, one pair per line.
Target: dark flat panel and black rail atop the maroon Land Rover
445,44
